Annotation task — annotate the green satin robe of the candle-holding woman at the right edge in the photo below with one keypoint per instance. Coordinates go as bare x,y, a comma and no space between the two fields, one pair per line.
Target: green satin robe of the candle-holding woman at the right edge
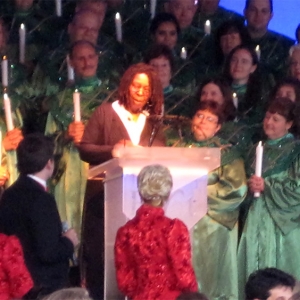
270,237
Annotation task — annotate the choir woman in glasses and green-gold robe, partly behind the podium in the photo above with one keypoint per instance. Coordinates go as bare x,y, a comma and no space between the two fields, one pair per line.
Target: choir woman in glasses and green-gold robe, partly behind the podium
215,236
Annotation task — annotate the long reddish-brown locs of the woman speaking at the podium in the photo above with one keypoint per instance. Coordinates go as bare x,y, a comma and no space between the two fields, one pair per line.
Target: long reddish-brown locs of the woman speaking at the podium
155,103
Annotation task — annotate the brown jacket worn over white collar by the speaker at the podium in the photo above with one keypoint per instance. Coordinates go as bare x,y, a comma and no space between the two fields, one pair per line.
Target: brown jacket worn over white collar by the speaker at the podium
104,130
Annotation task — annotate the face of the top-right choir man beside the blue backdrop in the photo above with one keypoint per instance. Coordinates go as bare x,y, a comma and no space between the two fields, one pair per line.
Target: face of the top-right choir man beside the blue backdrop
258,14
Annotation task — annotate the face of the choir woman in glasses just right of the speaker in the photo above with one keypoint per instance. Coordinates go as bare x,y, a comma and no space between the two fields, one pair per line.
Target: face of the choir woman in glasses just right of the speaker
204,125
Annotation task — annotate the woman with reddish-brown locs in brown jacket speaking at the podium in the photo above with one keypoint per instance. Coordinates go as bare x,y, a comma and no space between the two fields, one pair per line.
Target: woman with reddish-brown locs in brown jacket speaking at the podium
133,119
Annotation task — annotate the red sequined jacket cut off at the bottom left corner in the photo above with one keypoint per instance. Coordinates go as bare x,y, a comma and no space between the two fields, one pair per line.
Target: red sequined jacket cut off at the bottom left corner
15,280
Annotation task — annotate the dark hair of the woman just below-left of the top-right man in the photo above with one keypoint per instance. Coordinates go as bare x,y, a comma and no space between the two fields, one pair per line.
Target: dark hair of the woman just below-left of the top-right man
228,27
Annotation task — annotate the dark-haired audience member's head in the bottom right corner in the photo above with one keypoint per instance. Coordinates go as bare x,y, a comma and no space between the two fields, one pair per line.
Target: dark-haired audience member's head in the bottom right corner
269,284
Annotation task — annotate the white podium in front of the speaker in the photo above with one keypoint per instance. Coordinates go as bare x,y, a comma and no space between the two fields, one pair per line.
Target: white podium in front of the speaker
188,200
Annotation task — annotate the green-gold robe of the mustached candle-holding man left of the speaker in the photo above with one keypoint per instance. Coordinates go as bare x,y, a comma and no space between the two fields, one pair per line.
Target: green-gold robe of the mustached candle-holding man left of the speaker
69,179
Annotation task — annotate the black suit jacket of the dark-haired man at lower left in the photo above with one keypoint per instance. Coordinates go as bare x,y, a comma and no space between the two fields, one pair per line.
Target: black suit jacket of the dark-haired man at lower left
30,213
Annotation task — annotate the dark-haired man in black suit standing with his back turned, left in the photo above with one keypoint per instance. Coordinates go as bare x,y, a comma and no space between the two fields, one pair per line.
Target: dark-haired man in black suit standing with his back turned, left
30,213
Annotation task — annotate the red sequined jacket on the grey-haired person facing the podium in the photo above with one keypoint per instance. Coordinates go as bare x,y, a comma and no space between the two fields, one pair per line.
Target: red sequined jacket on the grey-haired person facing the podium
153,256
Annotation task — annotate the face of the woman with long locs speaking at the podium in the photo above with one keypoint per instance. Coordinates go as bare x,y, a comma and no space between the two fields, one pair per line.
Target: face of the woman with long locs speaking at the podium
139,92
